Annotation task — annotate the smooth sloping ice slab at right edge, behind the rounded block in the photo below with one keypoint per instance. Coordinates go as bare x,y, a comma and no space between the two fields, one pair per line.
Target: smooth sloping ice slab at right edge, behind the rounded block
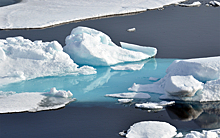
202,69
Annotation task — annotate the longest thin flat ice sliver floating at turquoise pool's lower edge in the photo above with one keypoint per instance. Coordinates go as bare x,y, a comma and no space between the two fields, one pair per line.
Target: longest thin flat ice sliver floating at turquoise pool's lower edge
129,95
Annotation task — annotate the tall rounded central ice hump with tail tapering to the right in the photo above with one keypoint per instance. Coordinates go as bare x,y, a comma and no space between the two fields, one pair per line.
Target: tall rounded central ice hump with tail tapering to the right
91,47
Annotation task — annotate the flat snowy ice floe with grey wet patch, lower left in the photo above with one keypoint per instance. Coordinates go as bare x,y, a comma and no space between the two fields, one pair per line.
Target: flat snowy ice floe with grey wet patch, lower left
34,101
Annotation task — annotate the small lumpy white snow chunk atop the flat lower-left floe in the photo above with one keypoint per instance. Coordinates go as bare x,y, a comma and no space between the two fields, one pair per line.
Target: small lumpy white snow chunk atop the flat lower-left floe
61,93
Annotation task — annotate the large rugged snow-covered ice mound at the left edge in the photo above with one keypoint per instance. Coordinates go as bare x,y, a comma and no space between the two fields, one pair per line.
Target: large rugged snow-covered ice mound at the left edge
22,59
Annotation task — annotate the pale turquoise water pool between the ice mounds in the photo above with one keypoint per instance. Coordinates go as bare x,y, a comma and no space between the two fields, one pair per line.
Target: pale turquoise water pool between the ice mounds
93,88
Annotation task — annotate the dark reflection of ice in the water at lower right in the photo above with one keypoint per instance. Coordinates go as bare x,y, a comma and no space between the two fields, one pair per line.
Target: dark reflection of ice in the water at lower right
205,115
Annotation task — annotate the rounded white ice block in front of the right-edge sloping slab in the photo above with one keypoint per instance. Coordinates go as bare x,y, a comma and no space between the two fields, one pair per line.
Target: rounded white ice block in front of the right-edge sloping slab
182,86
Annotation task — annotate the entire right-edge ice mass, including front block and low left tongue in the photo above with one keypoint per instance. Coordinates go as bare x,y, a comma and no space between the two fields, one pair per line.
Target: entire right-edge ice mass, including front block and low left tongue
180,73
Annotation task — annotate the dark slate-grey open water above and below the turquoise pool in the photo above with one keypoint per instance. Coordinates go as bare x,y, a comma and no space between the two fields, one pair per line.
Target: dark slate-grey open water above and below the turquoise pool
177,32
